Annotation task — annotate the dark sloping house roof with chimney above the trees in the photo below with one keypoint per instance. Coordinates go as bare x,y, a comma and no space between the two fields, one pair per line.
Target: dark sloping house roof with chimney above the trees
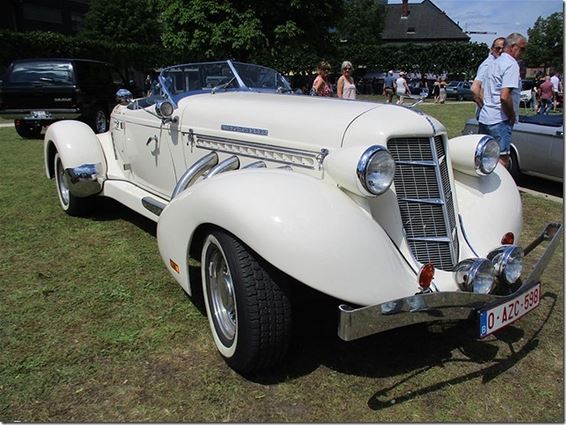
426,22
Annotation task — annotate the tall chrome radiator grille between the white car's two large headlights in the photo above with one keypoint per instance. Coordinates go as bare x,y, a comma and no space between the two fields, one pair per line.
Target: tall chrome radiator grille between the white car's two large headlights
425,199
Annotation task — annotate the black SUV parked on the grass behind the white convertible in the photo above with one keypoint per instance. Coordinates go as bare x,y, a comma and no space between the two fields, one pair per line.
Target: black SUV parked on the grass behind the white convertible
36,92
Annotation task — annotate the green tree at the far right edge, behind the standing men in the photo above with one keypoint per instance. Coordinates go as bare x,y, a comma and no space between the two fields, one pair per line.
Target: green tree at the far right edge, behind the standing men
546,42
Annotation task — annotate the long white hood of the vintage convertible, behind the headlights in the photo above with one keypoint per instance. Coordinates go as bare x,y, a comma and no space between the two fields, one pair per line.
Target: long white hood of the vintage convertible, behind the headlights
299,121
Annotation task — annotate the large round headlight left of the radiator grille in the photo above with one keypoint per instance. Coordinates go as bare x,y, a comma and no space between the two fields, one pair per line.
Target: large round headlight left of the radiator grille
376,169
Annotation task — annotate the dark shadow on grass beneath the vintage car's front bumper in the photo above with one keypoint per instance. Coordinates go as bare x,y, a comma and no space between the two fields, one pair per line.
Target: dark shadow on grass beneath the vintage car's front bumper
411,350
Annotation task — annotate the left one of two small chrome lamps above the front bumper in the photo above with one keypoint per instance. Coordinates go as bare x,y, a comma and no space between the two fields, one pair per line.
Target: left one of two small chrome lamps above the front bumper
475,275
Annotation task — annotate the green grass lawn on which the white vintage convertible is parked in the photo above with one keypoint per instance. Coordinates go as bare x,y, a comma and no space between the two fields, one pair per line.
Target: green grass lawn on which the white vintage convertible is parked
93,328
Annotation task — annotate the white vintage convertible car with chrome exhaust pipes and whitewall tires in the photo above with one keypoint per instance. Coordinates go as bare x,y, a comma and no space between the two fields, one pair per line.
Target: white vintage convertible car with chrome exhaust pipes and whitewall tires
369,203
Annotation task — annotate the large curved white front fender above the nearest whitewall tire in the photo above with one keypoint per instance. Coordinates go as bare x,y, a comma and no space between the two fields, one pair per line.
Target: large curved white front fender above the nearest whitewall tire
305,227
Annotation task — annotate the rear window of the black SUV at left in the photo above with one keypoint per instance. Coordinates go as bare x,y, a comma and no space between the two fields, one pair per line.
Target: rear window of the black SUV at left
44,72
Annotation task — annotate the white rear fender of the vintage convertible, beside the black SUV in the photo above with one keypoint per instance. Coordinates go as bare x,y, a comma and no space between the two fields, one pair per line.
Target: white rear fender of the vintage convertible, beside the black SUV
76,144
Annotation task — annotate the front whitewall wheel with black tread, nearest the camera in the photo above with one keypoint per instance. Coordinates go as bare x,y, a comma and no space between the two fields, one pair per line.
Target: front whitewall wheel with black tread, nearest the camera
249,312
